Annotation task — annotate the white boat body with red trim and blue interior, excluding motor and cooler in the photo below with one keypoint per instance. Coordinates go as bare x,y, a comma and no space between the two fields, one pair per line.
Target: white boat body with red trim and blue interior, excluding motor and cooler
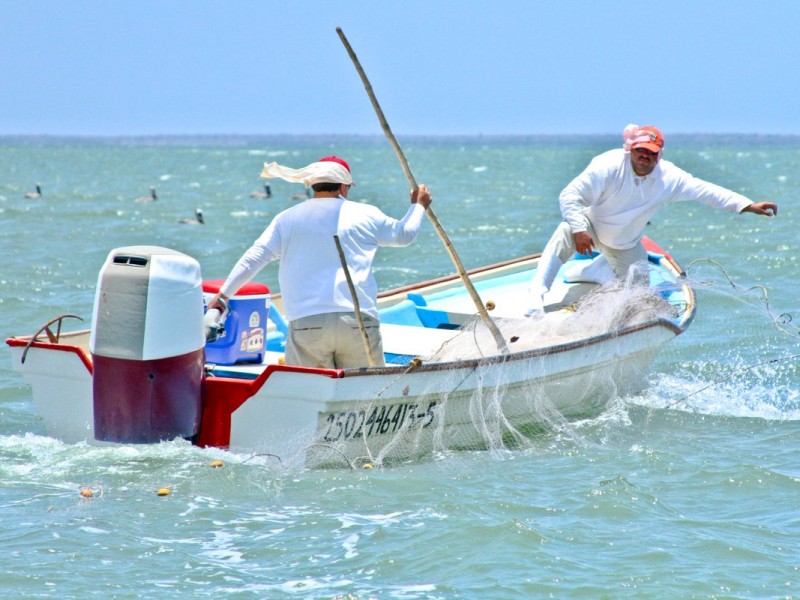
447,385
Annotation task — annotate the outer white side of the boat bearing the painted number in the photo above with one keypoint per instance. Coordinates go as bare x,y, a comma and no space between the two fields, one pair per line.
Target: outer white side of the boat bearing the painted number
368,417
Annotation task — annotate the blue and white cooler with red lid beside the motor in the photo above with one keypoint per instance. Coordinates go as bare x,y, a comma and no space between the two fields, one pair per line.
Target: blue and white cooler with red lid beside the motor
244,338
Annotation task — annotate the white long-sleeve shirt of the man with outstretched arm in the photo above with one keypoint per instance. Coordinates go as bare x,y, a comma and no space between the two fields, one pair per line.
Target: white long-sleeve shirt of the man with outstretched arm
619,203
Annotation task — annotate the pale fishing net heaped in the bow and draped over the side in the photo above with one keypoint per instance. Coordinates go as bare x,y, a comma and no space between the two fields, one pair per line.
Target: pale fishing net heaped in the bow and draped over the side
496,403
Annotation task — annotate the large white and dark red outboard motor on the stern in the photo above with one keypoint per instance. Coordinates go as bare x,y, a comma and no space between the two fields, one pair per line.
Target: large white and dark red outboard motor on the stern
147,346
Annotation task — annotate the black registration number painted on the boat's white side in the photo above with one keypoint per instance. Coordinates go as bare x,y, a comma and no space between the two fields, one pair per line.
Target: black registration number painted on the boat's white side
355,424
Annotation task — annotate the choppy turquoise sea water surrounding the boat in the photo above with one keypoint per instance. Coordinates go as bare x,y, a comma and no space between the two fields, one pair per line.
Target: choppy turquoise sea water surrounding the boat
687,491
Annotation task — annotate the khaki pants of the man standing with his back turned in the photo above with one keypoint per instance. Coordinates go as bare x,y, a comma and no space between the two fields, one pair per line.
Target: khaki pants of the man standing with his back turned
333,341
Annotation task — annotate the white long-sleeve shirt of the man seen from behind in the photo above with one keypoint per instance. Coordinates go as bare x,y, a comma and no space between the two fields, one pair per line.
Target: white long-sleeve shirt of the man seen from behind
311,278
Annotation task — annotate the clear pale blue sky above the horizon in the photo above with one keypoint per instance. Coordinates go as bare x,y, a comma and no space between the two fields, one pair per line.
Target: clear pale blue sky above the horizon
107,67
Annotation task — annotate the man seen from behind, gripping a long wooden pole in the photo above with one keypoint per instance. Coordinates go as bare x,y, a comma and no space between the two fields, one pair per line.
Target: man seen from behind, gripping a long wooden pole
323,328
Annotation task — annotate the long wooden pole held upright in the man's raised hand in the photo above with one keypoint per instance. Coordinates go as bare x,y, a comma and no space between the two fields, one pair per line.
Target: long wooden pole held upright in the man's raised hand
490,324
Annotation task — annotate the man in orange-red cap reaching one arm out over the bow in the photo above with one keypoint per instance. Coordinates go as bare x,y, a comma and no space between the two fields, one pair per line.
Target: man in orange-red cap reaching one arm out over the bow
607,207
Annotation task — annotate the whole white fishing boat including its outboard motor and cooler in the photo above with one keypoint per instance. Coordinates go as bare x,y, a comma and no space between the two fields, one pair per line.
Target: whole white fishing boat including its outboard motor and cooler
145,371
